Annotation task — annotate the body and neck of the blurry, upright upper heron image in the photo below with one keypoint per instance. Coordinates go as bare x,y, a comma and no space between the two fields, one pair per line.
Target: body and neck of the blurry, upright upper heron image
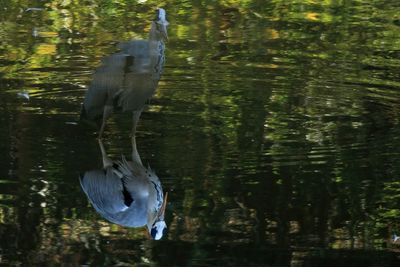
127,79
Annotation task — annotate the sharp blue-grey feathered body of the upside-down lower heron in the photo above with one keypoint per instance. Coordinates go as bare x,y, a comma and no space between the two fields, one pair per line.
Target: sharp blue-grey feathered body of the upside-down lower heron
124,193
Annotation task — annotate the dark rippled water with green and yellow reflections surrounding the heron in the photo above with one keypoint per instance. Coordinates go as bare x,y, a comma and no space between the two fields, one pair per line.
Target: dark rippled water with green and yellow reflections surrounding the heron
275,129
